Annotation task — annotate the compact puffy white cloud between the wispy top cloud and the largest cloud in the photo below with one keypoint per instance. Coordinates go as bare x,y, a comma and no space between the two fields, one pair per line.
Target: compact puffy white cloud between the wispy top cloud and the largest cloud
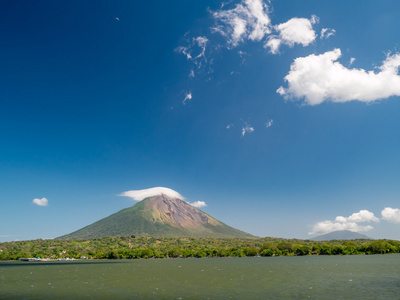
294,31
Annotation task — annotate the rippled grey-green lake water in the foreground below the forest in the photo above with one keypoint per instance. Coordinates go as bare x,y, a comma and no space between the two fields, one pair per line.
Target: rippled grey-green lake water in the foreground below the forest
307,277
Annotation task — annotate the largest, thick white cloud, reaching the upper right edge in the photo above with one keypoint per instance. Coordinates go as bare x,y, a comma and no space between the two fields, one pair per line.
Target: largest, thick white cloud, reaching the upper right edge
319,78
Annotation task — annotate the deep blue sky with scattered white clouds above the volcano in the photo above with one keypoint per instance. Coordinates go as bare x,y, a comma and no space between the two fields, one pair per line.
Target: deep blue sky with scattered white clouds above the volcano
282,117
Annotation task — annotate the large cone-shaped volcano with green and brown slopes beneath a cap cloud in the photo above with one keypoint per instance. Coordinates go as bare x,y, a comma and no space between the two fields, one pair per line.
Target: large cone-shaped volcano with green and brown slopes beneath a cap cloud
159,216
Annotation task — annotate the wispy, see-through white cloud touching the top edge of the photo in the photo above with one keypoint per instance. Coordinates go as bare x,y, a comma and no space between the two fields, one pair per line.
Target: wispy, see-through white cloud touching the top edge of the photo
247,20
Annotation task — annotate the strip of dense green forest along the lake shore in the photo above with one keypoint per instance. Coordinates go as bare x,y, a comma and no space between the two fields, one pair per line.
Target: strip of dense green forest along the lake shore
150,247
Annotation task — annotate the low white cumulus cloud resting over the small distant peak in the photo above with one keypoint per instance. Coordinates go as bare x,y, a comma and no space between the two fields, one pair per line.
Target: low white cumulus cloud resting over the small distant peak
346,223
